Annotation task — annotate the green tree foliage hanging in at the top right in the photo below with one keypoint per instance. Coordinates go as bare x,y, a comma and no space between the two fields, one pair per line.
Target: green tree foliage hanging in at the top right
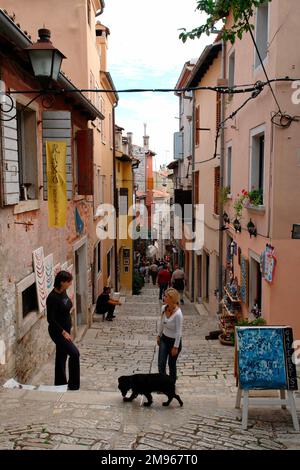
217,10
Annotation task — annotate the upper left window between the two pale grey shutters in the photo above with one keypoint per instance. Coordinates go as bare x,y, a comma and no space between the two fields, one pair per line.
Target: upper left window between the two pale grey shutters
27,153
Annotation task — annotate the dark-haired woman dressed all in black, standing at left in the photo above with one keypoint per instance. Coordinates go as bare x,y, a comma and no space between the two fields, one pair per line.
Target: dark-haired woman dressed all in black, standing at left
59,307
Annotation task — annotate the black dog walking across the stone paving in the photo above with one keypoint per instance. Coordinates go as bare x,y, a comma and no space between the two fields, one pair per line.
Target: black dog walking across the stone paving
144,384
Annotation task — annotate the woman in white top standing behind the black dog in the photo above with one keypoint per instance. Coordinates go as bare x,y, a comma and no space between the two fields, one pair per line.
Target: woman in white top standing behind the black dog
169,333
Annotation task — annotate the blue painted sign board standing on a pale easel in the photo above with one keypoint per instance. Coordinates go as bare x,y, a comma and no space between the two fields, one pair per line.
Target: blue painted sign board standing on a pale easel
264,360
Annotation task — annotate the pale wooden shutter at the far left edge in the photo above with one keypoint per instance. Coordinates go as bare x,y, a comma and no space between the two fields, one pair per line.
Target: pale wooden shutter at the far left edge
10,160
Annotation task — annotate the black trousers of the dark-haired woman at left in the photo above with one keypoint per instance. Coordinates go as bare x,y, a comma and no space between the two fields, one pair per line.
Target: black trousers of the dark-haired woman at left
64,349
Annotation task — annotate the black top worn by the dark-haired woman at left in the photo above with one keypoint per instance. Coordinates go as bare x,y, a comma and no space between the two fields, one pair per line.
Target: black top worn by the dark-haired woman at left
58,313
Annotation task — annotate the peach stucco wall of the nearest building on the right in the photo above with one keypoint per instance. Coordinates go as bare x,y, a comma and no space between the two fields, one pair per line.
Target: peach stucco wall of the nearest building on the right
282,166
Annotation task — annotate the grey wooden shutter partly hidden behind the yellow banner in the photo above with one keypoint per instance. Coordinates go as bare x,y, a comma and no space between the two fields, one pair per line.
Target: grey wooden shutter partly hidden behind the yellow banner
57,126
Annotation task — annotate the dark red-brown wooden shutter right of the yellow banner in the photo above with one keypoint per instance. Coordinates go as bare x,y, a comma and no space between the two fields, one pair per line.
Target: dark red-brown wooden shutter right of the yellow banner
85,152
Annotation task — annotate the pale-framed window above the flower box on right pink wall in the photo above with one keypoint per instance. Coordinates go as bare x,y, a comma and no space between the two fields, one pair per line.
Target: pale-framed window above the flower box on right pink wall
257,160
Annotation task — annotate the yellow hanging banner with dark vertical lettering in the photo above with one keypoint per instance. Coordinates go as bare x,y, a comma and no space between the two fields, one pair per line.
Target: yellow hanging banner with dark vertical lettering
56,153
